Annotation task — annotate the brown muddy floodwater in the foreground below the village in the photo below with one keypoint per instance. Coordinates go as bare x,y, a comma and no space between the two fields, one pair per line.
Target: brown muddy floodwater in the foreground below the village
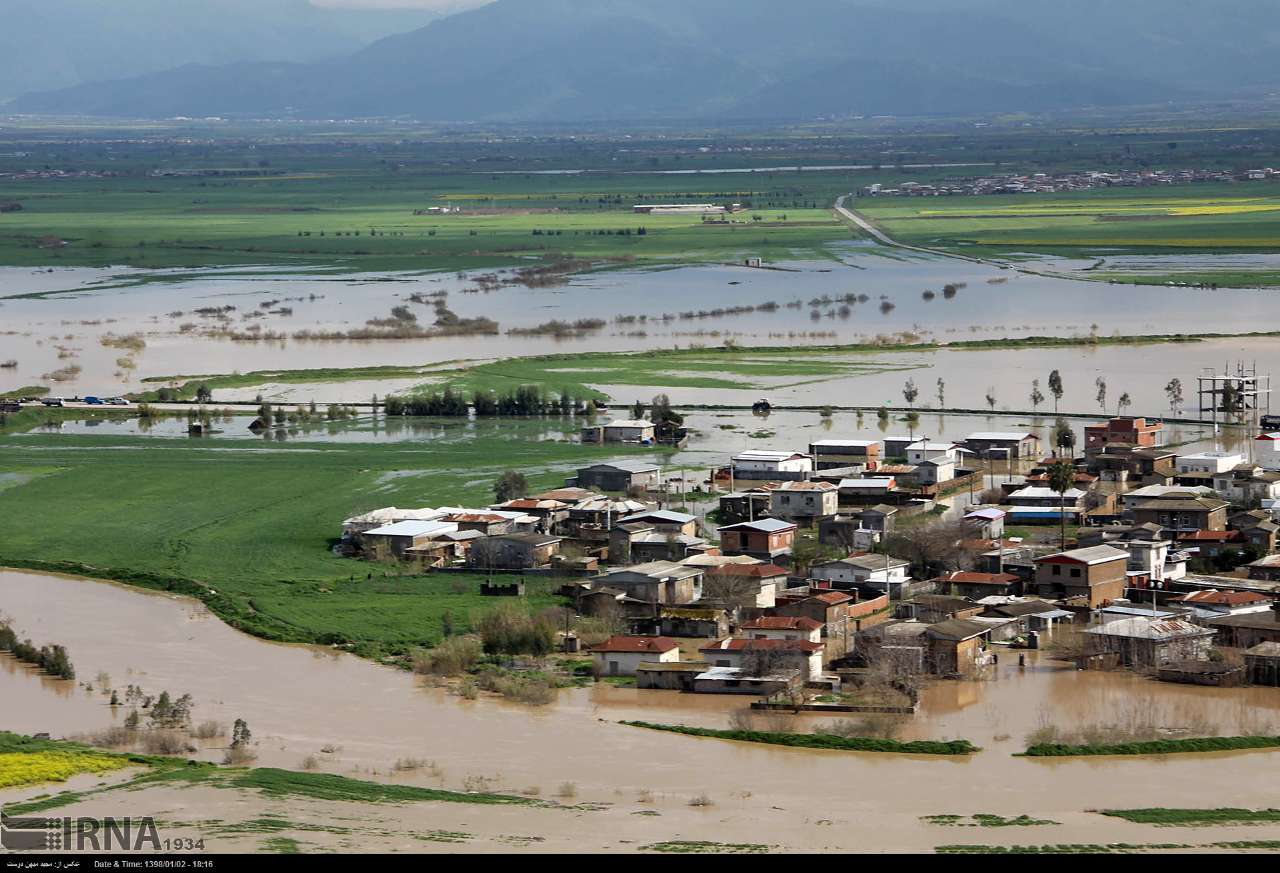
360,719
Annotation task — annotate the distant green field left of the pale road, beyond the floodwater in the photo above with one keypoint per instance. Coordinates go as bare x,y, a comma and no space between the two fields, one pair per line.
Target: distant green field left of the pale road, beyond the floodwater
346,213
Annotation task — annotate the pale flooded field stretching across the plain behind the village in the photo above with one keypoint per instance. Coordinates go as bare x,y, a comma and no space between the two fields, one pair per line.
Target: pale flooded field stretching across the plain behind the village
72,341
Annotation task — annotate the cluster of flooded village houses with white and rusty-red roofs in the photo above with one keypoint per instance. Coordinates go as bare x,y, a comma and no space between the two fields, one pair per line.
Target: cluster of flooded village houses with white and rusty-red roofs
842,578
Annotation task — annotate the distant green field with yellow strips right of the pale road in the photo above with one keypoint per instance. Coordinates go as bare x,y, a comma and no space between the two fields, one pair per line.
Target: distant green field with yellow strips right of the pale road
1176,220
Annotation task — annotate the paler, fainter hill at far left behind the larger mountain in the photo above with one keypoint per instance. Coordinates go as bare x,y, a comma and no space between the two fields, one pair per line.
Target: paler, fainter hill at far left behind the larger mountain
56,44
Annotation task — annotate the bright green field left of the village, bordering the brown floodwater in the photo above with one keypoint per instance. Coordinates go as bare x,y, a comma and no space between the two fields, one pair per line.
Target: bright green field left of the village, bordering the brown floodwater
257,522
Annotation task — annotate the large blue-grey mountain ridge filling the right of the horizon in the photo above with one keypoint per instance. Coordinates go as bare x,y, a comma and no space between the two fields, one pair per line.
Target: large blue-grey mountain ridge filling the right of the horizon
579,61
